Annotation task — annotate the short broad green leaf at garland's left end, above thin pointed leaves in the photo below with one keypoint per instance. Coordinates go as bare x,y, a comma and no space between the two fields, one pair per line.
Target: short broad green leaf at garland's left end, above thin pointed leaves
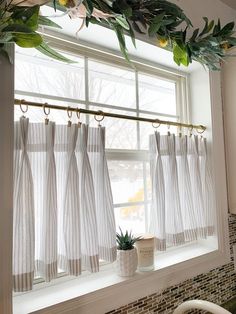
31,40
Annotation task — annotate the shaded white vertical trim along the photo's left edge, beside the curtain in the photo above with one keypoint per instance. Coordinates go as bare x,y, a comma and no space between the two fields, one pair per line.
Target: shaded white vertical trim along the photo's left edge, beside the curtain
6,180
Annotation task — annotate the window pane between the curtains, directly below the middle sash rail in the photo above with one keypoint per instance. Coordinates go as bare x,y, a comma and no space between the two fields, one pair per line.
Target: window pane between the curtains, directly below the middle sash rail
126,181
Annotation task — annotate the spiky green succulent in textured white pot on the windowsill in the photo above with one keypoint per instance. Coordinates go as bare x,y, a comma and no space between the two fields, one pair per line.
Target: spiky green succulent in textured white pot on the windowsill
127,259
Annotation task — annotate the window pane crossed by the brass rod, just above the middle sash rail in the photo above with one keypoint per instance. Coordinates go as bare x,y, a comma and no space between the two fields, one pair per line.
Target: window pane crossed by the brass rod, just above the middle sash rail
120,133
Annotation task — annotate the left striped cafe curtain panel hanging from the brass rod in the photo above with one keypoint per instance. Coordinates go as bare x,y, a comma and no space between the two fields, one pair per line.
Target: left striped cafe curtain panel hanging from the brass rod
63,207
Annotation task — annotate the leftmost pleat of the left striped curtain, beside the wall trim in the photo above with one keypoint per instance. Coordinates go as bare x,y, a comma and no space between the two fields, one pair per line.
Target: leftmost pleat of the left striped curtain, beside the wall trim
23,213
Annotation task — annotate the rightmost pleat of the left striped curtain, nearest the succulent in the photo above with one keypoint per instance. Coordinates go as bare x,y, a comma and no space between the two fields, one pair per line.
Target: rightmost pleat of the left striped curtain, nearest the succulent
103,194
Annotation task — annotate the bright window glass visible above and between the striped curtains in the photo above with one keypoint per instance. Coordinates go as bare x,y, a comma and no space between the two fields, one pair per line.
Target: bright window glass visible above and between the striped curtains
96,85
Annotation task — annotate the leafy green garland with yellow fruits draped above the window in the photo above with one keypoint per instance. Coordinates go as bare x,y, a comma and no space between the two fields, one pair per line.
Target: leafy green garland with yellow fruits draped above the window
159,19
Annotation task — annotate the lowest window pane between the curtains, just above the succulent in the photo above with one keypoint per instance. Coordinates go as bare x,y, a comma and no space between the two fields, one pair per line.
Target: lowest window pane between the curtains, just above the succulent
130,218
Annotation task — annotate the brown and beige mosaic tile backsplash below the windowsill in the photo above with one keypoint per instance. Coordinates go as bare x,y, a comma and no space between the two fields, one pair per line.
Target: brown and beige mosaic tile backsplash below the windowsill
218,286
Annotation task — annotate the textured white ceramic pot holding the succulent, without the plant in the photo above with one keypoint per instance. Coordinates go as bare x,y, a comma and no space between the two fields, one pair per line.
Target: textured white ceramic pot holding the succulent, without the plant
127,262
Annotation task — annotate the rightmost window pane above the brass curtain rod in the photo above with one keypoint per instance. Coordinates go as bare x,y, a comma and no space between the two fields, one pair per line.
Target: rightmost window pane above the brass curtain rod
157,95
